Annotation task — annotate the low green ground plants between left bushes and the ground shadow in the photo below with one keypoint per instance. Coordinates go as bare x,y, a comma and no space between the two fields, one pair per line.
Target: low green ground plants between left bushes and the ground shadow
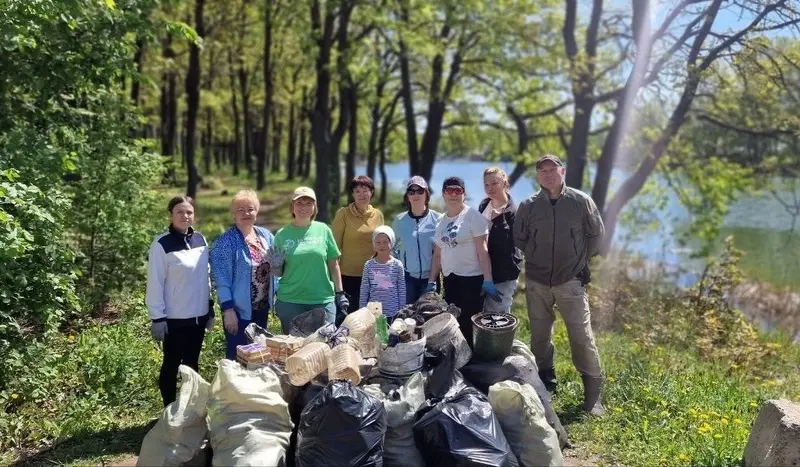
71,383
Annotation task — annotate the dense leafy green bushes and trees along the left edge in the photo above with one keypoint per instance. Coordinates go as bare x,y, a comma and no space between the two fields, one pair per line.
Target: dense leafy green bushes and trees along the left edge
64,128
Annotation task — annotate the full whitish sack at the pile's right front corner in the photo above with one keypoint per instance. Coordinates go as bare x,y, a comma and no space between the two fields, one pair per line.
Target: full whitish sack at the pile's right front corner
521,416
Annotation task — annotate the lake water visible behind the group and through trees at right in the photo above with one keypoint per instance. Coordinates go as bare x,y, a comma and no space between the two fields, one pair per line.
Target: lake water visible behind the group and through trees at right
760,218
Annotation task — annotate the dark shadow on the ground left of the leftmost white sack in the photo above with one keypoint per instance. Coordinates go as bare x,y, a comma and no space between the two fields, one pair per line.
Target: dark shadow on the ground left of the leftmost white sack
92,447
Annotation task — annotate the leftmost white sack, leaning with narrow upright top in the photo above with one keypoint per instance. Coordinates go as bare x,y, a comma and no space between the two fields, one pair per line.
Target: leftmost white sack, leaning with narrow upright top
179,434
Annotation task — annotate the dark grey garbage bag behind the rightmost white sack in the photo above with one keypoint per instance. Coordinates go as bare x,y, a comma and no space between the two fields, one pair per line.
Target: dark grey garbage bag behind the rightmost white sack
515,368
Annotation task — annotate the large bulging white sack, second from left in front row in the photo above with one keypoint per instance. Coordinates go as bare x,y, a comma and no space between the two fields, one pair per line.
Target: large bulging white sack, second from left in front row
248,417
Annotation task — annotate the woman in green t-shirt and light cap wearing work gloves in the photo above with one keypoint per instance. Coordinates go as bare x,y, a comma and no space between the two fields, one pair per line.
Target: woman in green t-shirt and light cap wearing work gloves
307,260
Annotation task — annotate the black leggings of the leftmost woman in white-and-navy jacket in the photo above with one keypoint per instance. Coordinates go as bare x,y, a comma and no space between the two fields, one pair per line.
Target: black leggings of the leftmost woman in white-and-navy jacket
181,347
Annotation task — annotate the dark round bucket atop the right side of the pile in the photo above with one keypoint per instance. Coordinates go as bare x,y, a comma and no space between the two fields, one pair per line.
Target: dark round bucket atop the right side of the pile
493,335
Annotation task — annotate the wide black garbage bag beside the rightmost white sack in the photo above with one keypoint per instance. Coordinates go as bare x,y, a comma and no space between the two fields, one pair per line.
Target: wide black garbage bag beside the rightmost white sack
461,430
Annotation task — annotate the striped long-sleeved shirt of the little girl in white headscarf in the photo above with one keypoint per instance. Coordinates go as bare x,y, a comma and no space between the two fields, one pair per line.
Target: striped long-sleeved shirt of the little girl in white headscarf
384,283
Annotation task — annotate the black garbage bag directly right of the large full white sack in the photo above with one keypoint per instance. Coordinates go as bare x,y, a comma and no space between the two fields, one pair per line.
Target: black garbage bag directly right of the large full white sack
342,426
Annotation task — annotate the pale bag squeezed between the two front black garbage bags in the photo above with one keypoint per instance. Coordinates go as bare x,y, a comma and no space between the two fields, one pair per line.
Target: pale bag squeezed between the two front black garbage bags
401,404
